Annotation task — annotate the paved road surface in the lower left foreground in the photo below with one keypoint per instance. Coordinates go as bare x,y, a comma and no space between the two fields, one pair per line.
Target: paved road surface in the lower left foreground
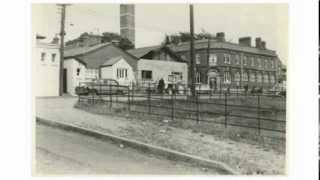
62,152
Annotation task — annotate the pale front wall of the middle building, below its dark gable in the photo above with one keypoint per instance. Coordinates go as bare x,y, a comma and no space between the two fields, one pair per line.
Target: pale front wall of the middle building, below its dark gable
162,69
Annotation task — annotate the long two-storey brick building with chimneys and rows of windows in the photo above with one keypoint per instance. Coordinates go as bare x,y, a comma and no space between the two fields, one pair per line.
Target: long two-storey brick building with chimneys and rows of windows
222,64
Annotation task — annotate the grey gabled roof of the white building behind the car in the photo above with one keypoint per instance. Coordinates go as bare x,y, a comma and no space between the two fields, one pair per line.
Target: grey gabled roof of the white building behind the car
98,55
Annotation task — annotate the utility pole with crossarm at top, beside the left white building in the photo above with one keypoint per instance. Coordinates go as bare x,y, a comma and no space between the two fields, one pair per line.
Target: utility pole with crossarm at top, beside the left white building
62,34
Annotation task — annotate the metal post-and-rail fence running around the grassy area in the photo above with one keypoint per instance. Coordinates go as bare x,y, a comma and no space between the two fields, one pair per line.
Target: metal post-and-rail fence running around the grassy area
259,111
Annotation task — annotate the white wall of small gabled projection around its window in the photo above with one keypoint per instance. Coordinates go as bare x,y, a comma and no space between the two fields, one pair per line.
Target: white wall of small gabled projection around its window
110,72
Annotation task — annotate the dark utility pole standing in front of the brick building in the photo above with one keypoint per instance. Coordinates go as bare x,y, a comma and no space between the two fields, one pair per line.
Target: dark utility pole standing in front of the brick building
192,54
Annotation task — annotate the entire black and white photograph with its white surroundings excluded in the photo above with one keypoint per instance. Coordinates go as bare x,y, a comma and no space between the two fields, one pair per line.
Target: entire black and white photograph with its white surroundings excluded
159,89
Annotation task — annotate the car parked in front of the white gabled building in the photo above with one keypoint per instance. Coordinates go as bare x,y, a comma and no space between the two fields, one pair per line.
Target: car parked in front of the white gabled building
101,87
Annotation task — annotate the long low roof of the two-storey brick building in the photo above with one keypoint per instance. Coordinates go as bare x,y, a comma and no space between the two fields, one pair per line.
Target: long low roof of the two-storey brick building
203,44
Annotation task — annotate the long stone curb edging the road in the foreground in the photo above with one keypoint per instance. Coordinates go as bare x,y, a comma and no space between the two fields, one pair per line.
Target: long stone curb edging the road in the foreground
147,148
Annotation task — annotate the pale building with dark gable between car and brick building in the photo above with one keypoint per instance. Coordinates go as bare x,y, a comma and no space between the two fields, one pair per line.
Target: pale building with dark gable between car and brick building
159,62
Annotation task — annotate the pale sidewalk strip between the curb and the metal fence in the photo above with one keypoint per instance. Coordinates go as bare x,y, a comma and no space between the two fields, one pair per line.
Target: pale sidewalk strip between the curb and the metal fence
244,158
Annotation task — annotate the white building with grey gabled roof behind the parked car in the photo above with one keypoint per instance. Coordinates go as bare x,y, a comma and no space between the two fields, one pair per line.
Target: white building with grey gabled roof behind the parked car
105,61
